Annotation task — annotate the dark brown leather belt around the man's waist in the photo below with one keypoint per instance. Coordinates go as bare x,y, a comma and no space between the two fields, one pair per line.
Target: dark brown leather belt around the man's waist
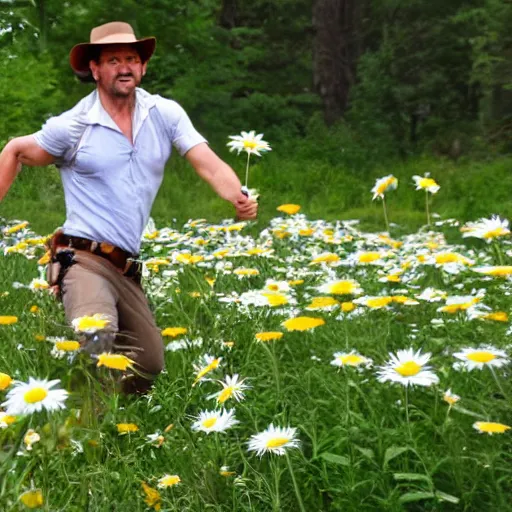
123,260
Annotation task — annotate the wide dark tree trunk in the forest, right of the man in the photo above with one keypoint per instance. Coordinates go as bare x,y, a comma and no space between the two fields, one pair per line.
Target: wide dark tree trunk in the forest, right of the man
336,50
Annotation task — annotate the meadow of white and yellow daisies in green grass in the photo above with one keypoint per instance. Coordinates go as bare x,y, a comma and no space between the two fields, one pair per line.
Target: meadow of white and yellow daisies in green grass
309,366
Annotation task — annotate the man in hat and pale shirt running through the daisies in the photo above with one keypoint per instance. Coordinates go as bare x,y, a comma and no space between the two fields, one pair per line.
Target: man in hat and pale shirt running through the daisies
111,149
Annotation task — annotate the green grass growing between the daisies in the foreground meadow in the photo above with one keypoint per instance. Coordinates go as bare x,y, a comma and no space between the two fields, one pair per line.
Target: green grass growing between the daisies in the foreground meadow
358,451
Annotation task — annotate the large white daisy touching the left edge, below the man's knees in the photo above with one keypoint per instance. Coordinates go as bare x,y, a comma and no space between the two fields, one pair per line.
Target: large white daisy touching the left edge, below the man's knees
34,396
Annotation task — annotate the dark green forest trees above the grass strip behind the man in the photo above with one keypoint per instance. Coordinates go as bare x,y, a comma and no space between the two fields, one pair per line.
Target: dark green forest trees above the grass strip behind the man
368,78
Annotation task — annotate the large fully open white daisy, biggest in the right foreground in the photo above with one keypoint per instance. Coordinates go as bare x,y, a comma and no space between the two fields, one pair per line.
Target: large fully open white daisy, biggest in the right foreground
408,368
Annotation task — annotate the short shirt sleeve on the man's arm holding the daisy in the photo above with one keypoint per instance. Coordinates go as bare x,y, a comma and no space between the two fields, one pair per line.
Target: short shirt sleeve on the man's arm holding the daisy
182,132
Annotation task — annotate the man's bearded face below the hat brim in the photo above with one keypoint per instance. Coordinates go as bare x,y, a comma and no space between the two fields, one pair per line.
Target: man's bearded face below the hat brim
119,70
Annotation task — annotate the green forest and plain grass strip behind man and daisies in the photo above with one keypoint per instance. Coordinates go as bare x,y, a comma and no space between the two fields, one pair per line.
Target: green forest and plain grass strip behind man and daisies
344,91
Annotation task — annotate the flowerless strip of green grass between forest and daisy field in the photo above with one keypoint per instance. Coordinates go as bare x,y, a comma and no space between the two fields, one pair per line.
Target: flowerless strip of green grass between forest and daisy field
469,189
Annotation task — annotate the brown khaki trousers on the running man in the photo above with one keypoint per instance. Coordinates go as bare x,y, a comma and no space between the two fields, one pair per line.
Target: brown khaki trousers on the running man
94,285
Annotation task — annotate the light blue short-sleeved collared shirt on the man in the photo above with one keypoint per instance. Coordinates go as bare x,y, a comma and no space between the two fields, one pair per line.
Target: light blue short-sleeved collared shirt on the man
109,183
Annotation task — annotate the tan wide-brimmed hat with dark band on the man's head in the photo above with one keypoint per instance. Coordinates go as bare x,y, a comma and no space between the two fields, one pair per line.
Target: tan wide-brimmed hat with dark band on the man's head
116,32
